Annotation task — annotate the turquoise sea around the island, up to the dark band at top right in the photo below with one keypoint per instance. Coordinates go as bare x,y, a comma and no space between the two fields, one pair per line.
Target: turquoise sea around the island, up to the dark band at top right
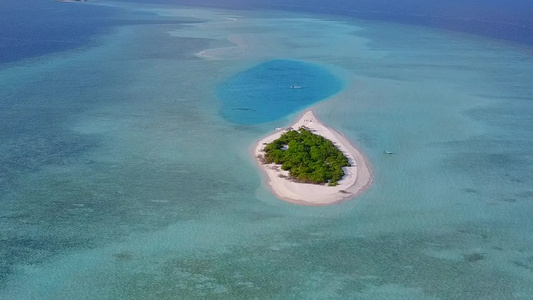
126,173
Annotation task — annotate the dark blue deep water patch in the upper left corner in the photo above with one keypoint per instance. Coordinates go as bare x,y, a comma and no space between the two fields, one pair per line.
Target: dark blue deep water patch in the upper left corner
33,28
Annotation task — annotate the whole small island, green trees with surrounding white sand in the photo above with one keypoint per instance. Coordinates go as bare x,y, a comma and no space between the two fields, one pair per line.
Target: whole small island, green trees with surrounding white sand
309,163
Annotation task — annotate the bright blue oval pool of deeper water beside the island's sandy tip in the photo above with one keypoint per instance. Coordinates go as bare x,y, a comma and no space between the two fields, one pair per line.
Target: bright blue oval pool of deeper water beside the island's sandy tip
274,89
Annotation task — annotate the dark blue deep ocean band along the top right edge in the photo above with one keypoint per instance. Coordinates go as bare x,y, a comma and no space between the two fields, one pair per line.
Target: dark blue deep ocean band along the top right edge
508,20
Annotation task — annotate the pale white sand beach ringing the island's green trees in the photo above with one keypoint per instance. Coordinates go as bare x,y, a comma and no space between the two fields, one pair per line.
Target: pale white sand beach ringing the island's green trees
357,178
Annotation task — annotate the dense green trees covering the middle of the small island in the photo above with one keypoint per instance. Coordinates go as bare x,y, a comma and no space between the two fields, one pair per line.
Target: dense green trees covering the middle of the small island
309,158
